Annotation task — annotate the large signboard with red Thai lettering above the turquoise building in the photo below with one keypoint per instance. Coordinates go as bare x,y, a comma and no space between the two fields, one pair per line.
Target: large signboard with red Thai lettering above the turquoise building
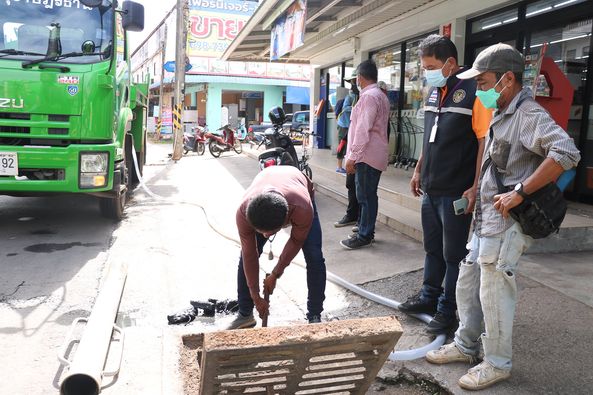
214,24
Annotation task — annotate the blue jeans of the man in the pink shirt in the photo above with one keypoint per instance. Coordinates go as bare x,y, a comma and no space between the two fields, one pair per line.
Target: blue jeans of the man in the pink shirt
367,182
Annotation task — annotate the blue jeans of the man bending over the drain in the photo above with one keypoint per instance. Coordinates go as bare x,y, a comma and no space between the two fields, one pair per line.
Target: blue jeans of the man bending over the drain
316,273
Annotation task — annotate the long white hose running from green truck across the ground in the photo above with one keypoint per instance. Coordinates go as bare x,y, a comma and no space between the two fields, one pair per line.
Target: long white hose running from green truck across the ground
406,355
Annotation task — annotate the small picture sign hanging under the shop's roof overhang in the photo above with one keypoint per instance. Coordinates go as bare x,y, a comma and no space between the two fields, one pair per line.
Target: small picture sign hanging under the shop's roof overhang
288,31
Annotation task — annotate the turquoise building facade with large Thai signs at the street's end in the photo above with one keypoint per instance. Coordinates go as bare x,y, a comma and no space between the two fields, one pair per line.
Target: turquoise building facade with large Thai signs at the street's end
216,92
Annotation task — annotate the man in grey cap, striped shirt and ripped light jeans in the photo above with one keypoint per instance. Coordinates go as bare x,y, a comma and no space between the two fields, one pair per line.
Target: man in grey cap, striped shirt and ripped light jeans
530,150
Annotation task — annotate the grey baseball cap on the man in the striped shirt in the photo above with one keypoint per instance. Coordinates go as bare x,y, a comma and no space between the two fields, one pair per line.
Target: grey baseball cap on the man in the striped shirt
496,58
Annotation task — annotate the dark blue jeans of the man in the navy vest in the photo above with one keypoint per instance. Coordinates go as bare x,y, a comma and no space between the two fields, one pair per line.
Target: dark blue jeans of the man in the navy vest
445,239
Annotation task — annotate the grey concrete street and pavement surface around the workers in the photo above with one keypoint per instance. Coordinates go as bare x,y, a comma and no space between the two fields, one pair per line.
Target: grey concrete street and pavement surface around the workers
54,251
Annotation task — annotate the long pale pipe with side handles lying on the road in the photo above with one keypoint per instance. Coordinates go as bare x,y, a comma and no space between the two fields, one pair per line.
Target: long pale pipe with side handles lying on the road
85,372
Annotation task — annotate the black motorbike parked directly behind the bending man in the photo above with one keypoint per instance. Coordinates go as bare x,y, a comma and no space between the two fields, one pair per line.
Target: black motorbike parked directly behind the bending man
282,151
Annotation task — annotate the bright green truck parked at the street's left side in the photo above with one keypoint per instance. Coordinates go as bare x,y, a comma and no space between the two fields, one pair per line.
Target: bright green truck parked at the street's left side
70,114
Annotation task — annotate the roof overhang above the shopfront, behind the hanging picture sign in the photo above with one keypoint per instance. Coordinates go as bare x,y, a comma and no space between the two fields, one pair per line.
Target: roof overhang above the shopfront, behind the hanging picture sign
329,23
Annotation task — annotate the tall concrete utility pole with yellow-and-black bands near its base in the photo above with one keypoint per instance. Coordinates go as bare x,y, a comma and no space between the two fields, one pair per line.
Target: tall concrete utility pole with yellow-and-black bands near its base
180,60
